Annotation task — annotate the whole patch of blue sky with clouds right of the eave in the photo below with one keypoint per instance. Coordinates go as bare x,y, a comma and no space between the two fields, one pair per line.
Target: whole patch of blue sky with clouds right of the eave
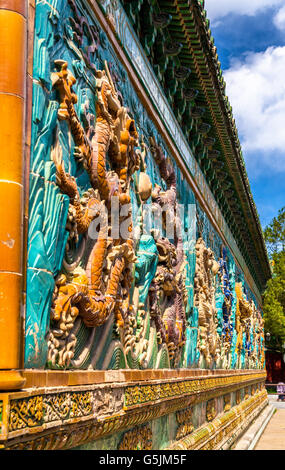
250,38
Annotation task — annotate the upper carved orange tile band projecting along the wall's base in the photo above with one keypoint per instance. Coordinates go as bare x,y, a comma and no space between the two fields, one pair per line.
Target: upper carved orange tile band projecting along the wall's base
100,410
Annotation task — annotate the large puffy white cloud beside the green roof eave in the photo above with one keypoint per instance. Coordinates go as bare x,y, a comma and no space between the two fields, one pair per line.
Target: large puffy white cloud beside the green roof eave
256,90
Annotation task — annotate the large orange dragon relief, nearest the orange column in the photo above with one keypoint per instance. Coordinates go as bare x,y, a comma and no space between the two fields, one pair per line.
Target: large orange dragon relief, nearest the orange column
98,282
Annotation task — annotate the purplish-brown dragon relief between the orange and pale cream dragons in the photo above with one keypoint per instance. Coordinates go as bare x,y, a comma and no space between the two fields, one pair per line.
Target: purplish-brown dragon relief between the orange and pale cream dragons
167,294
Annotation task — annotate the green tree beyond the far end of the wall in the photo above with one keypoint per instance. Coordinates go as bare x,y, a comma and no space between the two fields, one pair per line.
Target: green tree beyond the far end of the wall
274,297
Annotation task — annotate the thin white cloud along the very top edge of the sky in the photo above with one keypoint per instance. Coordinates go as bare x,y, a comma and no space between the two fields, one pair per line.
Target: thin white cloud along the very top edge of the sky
220,8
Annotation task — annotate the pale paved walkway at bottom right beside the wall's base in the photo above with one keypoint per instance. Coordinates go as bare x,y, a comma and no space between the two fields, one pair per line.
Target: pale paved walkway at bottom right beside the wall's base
273,437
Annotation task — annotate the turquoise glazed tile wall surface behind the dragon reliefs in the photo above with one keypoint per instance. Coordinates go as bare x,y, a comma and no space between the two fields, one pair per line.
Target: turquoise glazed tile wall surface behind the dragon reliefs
61,34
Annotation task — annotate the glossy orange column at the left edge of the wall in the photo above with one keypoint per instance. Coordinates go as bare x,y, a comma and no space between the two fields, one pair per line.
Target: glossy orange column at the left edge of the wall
13,40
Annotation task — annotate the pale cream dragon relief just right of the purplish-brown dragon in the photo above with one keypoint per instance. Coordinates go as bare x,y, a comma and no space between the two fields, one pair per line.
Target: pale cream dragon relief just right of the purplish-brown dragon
204,299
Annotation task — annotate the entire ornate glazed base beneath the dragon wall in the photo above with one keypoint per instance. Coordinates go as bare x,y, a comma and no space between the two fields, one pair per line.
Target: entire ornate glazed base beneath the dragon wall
194,410
